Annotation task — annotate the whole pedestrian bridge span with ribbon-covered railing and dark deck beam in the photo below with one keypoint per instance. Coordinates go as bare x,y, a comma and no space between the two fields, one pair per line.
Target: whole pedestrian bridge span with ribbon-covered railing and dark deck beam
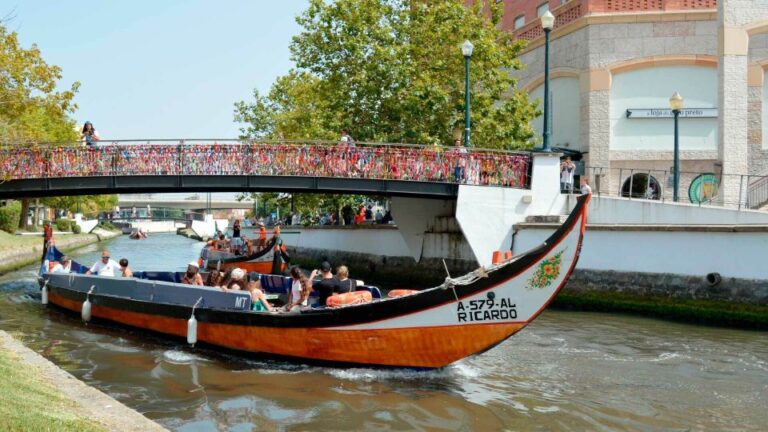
266,166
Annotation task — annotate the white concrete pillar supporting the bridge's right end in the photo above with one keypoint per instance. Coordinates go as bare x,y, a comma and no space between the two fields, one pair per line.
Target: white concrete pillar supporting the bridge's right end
487,215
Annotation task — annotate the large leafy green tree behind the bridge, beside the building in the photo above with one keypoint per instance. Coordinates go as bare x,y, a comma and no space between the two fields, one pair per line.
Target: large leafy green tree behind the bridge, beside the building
392,71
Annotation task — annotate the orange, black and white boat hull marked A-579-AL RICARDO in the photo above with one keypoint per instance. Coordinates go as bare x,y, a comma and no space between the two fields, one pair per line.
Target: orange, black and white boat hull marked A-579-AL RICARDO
431,328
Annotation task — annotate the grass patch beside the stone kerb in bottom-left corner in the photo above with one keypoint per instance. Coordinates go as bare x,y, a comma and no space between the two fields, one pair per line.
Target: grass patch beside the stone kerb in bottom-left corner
27,403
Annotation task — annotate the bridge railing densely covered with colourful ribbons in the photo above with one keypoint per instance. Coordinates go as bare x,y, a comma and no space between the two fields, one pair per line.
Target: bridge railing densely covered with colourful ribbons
314,159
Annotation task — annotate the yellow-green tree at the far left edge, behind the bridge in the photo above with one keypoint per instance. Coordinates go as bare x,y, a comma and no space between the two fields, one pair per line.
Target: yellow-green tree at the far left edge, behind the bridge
31,109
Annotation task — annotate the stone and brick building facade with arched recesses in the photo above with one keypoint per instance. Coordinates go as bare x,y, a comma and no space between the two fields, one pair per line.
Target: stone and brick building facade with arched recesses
614,65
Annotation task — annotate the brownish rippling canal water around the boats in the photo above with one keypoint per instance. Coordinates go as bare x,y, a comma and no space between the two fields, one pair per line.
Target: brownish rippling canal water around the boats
567,371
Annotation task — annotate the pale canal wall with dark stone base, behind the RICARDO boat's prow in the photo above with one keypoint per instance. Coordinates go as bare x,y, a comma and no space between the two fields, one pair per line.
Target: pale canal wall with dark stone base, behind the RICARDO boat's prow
671,261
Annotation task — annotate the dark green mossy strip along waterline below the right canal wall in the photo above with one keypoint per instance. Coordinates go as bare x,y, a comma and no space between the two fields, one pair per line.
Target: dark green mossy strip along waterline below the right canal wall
708,312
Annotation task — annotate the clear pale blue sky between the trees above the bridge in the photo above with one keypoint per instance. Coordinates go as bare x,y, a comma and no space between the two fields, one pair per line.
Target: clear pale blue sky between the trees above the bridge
163,68
